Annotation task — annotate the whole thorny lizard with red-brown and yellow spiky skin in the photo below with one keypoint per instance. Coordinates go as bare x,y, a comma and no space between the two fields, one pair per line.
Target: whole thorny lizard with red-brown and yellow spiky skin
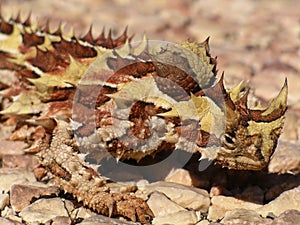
70,97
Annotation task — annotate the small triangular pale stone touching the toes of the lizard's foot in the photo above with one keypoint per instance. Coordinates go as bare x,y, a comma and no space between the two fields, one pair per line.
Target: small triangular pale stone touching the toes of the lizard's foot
160,205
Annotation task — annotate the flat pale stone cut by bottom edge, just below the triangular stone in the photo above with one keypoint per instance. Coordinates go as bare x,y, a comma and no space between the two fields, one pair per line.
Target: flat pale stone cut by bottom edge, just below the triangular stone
178,218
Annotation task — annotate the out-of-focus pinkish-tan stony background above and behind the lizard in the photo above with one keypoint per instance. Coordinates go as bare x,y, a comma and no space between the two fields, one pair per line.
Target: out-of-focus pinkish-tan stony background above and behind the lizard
255,40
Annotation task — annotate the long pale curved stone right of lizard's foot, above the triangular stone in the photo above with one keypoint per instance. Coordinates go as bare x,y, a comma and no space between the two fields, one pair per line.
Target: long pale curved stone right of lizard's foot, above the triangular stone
187,197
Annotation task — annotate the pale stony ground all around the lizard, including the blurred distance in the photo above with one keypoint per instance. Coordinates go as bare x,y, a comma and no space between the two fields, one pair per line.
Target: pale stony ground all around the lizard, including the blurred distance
258,41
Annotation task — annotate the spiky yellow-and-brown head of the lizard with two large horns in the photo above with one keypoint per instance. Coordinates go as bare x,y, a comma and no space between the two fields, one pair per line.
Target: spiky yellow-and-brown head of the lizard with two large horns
250,135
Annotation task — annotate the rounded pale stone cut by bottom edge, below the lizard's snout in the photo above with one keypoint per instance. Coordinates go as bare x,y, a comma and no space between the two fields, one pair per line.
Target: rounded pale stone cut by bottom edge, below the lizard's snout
244,216
